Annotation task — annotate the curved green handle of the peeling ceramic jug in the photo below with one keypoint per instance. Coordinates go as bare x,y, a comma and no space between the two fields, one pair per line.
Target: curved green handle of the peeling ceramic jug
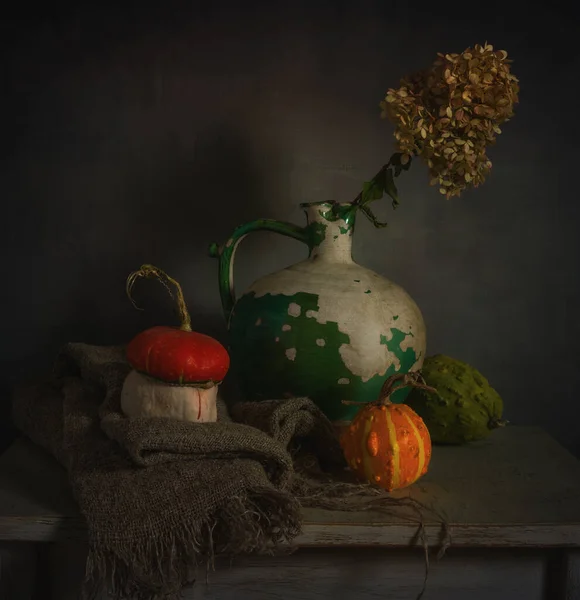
226,253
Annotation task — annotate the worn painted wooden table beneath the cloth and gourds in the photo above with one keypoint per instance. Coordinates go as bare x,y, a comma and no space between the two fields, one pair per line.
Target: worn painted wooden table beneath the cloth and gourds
513,502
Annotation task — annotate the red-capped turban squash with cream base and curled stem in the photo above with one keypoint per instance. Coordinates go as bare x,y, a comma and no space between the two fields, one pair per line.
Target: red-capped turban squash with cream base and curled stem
176,370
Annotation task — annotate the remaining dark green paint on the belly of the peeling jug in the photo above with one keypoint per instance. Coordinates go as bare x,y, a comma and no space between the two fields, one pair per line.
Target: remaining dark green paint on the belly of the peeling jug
315,371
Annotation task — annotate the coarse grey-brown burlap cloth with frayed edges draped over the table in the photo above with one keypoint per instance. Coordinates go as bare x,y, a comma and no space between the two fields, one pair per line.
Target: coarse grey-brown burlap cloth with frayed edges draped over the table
161,497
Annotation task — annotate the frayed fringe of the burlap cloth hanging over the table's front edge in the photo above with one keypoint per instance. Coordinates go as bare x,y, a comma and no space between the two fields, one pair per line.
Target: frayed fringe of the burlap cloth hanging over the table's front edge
171,562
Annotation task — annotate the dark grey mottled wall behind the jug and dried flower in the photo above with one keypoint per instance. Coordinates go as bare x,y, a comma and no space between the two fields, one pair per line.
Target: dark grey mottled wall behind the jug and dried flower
141,135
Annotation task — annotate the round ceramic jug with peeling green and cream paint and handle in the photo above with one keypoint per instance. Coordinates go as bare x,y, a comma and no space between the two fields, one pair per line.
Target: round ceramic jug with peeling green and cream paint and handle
326,327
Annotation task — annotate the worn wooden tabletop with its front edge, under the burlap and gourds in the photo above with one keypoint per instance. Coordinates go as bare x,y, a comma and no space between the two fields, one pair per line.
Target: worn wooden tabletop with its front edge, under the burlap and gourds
517,488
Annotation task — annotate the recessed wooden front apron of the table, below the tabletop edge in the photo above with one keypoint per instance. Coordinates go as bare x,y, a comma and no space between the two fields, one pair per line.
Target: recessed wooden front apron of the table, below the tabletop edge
368,574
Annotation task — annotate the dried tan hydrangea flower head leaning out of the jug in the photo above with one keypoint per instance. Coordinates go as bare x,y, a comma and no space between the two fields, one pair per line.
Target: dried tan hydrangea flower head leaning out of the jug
450,113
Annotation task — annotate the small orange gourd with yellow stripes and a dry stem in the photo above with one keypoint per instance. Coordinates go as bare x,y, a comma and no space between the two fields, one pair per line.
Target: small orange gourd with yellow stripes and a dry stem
388,444
